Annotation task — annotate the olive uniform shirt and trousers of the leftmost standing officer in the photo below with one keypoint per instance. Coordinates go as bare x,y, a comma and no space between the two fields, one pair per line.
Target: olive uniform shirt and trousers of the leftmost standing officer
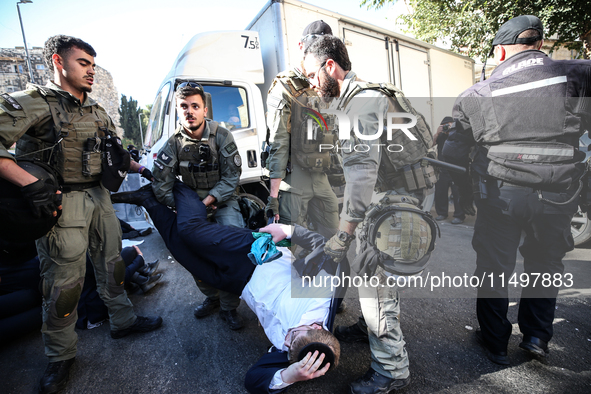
88,221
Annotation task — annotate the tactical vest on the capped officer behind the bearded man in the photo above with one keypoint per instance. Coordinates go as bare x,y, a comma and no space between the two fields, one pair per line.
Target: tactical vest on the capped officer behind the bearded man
307,127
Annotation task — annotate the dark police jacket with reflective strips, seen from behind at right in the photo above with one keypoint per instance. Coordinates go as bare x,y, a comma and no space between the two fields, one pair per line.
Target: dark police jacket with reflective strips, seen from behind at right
526,120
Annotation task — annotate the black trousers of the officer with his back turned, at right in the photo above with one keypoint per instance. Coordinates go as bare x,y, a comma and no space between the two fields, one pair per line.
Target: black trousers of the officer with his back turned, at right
501,218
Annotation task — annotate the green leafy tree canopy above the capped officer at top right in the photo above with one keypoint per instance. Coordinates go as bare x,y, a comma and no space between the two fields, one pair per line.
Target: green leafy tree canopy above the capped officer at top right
470,25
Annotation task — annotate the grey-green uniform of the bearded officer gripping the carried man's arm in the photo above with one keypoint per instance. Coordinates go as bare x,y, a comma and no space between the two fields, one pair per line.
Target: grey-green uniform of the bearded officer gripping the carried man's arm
368,172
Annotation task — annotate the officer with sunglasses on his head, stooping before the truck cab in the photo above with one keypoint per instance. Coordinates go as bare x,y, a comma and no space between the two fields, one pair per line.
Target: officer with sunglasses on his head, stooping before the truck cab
207,158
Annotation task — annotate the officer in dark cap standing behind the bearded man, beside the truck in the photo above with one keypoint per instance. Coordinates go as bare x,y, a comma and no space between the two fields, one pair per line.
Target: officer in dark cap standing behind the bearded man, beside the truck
305,191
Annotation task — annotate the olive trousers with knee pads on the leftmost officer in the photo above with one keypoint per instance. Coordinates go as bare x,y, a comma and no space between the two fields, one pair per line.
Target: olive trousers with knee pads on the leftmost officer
88,224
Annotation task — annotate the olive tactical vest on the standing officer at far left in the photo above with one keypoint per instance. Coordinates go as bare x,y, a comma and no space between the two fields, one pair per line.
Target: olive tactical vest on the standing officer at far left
74,151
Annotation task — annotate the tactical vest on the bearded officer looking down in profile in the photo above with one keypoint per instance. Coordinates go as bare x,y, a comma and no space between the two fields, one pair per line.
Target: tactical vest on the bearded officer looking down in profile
405,168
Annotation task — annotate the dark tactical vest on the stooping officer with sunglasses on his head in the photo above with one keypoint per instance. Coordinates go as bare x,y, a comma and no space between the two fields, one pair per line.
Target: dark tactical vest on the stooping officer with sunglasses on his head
198,161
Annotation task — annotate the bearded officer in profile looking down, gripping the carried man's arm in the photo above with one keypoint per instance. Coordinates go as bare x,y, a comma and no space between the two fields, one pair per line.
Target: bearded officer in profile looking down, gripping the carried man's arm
328,68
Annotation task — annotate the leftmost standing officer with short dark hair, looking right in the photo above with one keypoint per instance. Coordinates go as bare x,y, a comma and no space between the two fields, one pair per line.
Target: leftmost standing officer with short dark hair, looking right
52,124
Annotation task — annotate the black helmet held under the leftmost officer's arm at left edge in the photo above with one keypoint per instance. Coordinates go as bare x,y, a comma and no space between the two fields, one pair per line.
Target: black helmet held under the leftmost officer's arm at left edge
18,222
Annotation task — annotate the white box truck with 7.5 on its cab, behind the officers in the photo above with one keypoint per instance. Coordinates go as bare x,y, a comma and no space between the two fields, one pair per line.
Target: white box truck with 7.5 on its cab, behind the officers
237,68
